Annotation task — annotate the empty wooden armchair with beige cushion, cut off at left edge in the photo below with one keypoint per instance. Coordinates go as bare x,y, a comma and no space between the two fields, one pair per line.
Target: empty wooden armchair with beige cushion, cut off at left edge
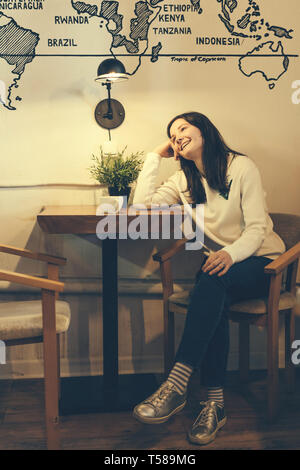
26,322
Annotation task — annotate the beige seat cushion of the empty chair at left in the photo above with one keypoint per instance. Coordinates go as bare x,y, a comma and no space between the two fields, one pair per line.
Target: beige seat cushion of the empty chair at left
24,319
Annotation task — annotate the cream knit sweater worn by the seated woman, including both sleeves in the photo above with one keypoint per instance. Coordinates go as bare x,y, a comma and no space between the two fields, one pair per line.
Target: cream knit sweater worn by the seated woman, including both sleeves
240,224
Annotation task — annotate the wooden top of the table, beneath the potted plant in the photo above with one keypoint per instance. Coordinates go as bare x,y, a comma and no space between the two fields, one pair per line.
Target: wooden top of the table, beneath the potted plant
83,219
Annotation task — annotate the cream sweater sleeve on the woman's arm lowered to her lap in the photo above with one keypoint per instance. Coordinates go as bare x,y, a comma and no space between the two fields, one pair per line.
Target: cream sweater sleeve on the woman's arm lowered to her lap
254,215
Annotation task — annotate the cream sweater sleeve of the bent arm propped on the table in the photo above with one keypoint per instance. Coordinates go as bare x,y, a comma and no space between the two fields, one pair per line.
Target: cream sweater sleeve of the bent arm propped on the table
146,191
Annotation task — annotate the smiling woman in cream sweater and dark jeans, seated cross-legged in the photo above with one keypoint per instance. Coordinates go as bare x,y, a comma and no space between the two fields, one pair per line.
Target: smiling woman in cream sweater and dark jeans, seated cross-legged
239,243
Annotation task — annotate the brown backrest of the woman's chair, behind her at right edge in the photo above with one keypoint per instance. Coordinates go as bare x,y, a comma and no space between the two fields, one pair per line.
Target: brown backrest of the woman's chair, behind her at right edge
287,226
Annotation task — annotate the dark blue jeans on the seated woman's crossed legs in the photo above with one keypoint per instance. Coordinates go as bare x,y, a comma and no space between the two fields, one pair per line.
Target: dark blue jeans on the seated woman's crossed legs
205,340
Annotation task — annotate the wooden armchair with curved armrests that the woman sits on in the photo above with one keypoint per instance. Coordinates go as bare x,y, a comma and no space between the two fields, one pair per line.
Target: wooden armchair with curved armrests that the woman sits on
261,312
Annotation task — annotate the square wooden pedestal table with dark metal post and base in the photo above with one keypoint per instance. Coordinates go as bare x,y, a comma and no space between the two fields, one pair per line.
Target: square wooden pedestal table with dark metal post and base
110,391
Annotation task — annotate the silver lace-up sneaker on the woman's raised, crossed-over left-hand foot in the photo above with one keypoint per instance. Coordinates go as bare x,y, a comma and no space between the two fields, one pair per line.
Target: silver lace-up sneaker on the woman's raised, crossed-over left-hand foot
160,406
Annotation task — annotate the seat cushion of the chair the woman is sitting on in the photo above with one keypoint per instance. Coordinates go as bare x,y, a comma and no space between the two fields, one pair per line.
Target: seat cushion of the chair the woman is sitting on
254,306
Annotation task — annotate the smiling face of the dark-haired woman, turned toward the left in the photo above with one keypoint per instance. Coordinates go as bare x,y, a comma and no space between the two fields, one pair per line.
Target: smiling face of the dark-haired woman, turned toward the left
186,139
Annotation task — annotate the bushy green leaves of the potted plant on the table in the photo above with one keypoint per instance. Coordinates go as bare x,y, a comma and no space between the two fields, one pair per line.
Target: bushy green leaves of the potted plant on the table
116,171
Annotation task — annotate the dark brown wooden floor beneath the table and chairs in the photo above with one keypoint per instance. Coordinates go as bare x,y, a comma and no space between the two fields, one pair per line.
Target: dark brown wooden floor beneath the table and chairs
22,421
